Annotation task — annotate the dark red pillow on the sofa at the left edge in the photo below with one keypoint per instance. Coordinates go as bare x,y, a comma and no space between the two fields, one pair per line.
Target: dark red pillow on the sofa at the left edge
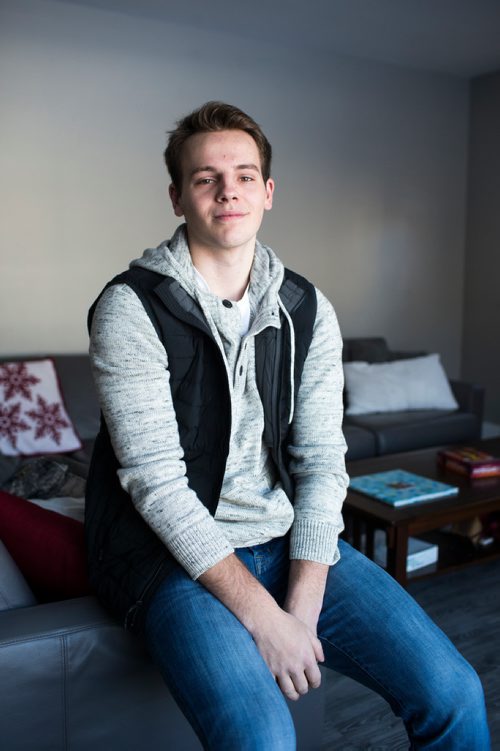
48,548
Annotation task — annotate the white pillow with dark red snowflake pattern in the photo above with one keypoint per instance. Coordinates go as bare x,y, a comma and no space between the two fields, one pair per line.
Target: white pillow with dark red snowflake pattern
33,418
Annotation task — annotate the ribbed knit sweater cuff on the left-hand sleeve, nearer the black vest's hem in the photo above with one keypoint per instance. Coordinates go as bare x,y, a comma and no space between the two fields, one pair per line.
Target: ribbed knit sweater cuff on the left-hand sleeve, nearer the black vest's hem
199,549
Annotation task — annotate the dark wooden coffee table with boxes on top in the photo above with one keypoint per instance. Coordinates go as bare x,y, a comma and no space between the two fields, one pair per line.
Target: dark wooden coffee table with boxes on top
364,515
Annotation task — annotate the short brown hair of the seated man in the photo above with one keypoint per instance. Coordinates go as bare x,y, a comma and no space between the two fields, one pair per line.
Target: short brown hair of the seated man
209,118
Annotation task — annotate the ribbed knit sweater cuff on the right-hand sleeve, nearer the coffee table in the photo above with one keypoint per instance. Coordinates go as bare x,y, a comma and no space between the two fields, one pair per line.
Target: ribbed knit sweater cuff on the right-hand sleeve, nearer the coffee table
314,541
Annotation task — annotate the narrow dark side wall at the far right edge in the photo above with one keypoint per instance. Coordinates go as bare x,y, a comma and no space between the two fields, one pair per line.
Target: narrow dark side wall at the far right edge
481,345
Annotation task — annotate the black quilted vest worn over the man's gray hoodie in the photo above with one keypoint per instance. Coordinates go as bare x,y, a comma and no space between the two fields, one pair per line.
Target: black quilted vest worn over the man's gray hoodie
127,561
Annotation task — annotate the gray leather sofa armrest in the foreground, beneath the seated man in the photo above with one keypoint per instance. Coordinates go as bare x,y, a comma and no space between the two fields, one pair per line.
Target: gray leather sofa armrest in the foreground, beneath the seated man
88,684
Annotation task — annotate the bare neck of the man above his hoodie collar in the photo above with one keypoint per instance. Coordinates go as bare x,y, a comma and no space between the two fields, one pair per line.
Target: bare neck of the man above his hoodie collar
227,273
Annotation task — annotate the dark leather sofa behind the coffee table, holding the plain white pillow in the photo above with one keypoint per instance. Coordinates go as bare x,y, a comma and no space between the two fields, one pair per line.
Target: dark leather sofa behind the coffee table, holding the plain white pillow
392,432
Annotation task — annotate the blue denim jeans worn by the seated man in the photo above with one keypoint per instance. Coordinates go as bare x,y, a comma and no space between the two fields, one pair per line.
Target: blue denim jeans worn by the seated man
370,629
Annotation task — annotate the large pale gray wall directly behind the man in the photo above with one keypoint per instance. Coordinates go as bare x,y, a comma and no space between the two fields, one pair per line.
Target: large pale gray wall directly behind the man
370,164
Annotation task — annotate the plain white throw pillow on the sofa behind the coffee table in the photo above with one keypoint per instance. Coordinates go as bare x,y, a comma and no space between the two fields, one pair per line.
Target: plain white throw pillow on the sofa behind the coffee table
417,383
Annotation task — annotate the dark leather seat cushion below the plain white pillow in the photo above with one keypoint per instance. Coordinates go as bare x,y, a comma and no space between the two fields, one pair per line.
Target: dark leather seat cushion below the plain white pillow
408,431
